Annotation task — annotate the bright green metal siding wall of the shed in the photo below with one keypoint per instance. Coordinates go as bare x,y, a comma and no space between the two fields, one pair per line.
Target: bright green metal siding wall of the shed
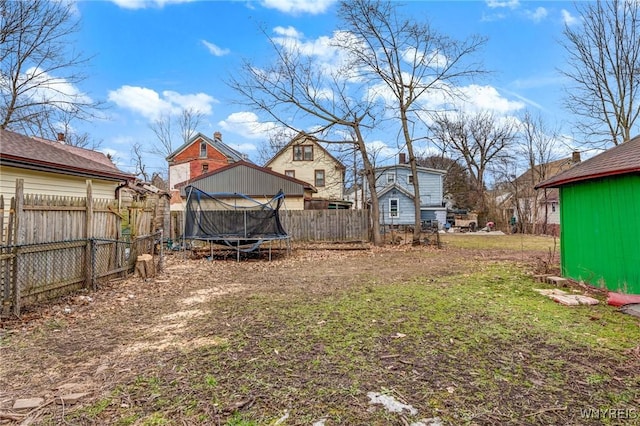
600,232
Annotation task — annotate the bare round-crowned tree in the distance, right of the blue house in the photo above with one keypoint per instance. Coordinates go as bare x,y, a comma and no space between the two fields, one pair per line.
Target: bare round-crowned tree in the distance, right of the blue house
476,140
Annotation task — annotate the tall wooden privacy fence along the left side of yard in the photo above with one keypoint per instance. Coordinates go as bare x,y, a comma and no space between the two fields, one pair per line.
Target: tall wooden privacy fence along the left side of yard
52,246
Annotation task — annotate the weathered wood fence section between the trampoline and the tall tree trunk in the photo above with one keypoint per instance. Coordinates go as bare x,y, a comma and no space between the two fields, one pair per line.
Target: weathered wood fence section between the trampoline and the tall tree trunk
326,225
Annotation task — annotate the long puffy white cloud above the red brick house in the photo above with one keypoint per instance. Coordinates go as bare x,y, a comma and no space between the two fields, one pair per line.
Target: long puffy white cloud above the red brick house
151,105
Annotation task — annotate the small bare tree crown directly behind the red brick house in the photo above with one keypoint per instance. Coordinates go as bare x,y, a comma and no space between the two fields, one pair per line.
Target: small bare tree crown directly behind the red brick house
169,129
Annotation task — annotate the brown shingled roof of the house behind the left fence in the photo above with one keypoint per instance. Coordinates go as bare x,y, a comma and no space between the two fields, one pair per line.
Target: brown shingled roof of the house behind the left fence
40,154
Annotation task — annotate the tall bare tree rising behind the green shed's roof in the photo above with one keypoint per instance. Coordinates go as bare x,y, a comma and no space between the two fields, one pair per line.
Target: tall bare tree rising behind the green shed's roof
604,68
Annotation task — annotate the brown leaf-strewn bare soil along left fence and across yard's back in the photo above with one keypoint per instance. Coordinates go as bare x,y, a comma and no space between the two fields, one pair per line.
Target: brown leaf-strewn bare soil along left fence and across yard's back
96,342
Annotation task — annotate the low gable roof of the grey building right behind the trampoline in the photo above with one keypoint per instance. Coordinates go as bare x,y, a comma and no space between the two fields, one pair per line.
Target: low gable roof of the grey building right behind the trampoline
250,186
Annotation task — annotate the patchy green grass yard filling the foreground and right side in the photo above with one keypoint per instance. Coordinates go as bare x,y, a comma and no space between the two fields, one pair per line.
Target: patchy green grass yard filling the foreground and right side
454,337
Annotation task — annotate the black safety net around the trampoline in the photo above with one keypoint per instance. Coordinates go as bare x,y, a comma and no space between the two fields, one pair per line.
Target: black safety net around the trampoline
242,222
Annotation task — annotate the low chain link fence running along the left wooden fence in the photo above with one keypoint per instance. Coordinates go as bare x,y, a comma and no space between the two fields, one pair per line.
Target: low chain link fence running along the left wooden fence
34,273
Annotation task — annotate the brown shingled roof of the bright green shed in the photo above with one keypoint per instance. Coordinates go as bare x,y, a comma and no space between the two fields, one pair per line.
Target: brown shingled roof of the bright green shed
621,159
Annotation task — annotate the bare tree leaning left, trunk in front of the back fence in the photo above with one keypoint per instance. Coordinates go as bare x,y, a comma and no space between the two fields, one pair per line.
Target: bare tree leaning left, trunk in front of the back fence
296,89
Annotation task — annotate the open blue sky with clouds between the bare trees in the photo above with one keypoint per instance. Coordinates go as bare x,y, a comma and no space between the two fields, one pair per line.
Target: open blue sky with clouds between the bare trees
160,56
